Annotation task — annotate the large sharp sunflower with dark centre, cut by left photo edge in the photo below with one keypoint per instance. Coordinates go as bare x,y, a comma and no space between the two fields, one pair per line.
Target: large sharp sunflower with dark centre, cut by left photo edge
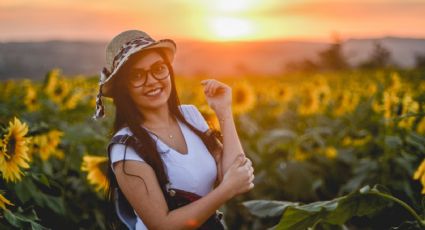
14,151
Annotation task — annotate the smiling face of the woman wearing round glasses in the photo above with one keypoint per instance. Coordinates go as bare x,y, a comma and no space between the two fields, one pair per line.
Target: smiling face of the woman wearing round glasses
146,65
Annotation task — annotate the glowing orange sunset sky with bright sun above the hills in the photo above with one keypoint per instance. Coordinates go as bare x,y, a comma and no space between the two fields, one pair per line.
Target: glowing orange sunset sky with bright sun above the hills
211,20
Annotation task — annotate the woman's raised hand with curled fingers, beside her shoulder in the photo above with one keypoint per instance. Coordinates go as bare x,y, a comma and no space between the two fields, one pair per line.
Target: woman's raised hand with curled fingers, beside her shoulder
218,95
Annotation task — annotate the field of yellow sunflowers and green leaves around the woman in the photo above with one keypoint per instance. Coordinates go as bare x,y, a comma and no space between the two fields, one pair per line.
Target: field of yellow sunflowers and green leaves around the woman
332,150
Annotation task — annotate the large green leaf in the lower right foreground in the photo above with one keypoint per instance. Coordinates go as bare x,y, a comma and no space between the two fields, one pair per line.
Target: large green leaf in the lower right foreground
336,212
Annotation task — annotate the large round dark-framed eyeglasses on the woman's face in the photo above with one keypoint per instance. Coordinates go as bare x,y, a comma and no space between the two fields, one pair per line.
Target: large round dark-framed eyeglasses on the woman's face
138,77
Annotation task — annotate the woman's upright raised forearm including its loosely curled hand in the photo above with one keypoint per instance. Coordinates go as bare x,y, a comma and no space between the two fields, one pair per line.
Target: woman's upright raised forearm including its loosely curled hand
219,98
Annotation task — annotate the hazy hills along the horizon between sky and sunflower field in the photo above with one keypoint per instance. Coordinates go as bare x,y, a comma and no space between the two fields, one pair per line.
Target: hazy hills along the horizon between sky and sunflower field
34,59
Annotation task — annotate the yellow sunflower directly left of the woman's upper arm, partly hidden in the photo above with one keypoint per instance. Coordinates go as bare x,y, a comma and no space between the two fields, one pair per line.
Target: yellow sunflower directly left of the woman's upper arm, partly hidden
96,167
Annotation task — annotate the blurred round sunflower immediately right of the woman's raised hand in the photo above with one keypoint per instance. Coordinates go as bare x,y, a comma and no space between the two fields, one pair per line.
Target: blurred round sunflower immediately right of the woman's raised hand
243,97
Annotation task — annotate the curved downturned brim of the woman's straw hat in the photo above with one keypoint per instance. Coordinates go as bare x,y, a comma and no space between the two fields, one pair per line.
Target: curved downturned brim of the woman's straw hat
106,80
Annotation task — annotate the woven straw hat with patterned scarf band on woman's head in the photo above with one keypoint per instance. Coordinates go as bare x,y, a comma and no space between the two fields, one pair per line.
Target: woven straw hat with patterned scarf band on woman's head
118,52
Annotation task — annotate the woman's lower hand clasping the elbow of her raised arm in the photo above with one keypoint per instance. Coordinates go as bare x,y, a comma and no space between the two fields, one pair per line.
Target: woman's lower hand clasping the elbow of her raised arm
238,178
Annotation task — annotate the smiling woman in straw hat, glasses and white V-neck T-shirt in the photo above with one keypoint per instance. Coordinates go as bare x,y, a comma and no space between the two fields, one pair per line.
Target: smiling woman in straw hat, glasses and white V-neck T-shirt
175,146
